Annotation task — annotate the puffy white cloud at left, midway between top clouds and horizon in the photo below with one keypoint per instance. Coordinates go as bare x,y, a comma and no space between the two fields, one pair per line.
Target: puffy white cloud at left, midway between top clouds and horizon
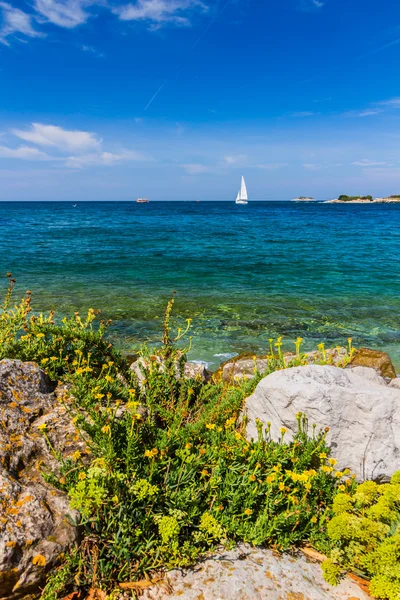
63,139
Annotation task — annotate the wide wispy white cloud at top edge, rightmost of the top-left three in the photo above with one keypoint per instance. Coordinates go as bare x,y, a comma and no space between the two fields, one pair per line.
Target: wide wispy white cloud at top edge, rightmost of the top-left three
160,12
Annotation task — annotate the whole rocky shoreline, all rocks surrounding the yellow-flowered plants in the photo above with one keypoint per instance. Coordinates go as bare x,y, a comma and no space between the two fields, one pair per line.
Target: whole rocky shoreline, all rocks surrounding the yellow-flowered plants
358,404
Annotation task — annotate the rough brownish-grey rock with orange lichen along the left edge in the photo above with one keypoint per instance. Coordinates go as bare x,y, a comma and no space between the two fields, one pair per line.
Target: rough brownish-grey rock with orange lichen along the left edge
36,523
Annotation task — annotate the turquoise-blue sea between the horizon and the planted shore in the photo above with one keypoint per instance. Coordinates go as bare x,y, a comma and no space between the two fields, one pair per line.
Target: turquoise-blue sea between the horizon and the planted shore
242,273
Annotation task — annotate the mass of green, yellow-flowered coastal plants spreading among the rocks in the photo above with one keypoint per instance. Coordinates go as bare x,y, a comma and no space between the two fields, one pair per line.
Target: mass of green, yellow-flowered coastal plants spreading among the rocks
167,474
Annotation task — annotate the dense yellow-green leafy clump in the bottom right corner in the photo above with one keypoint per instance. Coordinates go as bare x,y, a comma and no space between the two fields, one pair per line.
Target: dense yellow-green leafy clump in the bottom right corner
364,535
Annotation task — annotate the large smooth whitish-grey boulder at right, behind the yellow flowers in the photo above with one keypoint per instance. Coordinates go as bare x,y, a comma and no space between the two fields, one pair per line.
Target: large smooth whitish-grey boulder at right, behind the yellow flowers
362,414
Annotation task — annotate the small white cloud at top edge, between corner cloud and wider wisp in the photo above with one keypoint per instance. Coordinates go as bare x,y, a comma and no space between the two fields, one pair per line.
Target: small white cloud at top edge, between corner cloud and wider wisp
64,13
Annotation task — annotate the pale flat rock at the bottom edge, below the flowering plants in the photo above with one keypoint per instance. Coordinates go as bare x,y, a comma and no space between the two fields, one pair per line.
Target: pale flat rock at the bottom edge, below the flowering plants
247,573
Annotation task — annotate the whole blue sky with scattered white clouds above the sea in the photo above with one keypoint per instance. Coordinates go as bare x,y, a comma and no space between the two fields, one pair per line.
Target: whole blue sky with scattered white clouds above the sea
177,99
